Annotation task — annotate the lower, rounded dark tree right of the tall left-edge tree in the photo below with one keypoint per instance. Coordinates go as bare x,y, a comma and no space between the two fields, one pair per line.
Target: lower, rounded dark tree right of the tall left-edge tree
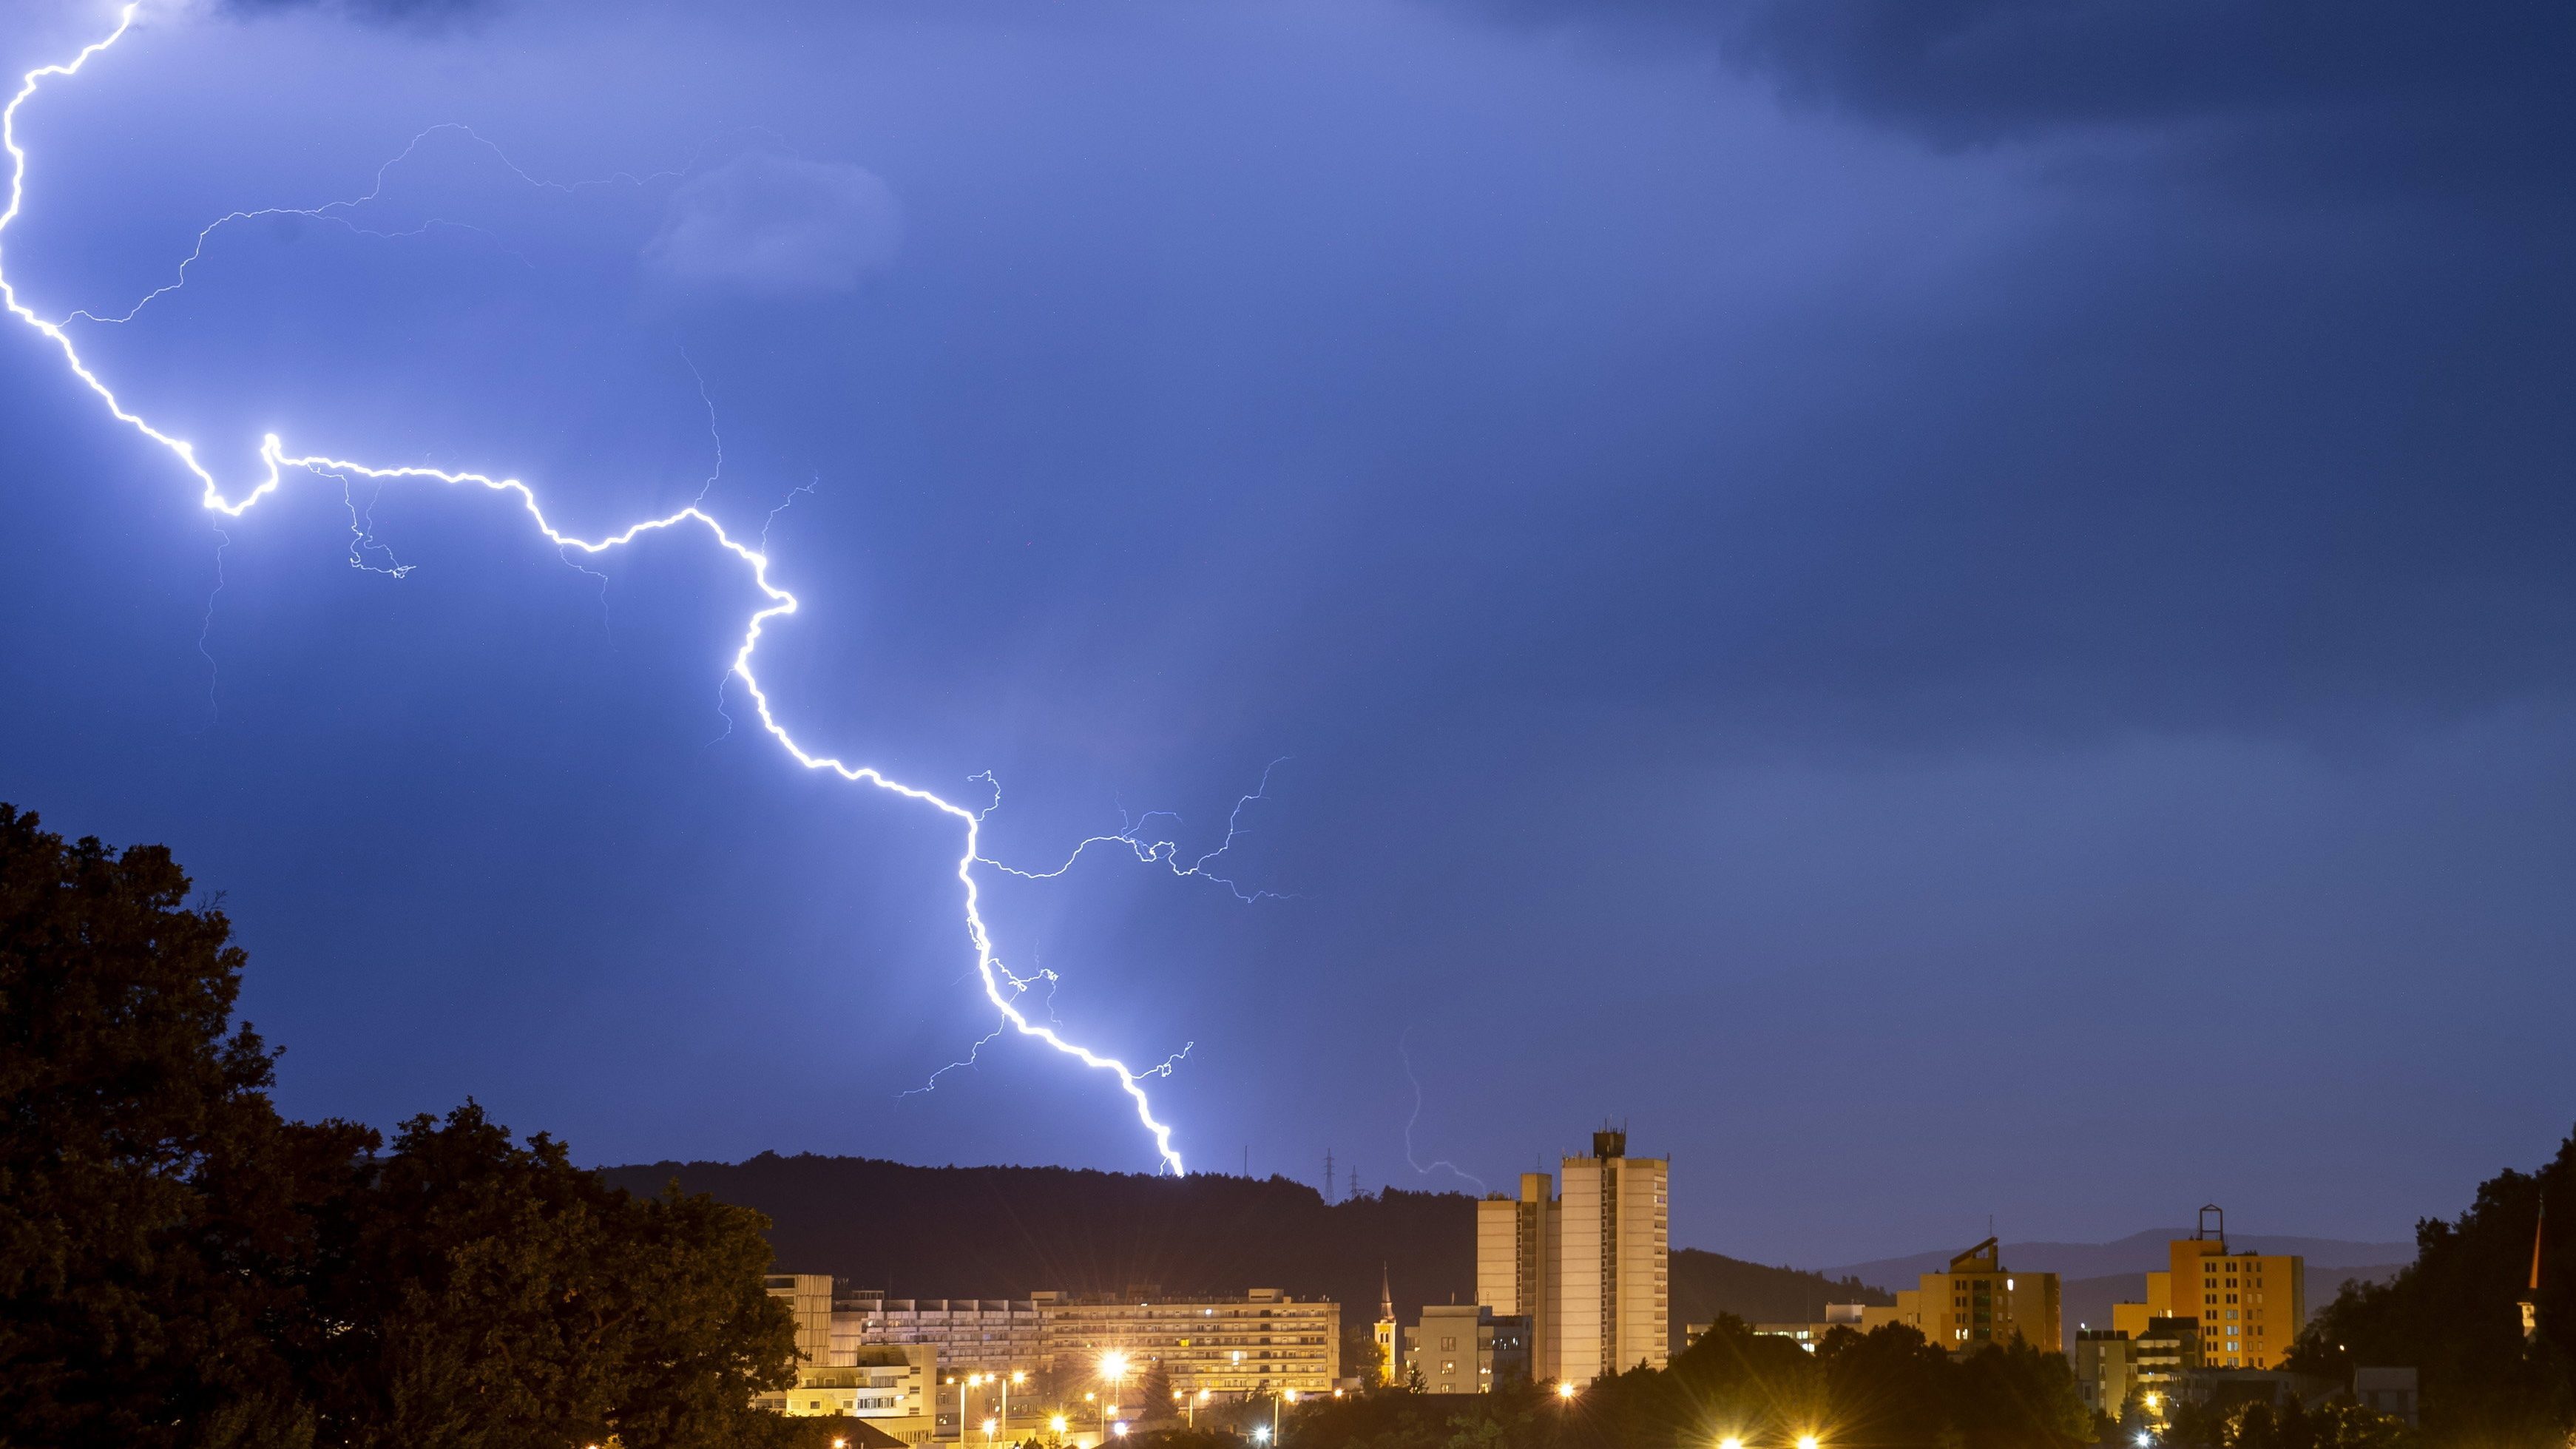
501,1296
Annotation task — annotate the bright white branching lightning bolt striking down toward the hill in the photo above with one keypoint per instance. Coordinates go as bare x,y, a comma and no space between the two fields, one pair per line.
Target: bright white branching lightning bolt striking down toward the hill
277,463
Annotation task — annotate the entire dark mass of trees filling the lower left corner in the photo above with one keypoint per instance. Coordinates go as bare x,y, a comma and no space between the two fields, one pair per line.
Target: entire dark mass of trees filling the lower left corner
184,1267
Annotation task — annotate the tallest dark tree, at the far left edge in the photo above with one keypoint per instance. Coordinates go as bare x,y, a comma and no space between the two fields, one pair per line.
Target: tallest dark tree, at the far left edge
125,1094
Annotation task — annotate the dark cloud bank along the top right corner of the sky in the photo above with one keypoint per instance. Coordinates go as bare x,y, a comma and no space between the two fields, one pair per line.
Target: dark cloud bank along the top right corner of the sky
2394,89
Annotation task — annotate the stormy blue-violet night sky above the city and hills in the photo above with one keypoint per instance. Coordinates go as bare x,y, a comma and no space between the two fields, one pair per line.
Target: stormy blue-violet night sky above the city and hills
1951,610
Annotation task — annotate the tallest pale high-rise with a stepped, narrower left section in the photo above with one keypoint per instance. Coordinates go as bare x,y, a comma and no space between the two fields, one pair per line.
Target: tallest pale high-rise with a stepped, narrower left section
1588,1267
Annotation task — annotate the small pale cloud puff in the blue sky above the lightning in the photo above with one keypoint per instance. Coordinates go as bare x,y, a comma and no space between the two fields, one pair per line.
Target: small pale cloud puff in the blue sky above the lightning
774,226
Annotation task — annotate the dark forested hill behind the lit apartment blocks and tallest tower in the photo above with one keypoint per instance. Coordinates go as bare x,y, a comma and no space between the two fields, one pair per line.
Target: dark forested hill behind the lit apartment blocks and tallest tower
1011,1231
